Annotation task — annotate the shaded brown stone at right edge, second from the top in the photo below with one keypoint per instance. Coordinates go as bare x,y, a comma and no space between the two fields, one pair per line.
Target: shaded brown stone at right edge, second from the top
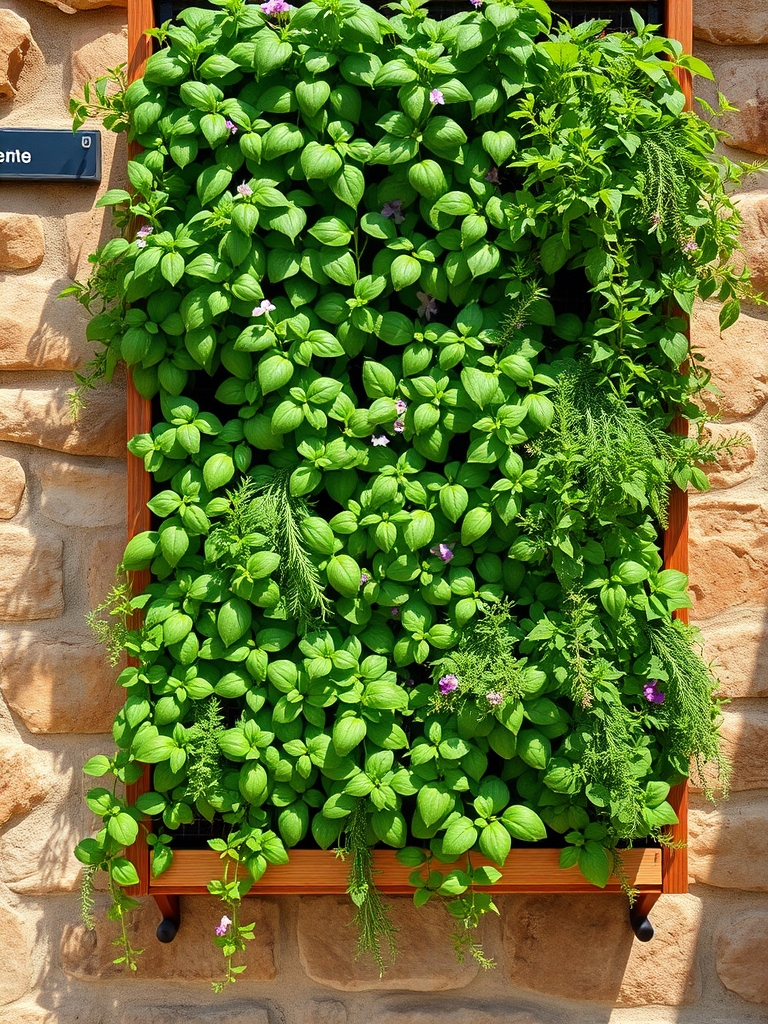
744,83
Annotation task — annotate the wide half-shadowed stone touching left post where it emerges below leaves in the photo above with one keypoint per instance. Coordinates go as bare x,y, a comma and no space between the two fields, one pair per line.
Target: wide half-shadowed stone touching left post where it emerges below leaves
41,416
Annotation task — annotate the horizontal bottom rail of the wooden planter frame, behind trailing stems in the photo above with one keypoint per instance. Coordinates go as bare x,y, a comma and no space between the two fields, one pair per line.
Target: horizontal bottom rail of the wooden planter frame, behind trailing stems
322,873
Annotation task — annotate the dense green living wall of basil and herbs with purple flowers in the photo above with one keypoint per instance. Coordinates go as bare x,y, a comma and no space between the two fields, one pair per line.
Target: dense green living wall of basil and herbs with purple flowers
409,300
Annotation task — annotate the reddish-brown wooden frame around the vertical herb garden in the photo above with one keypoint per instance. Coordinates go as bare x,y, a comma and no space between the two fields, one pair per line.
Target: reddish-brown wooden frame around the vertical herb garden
653,872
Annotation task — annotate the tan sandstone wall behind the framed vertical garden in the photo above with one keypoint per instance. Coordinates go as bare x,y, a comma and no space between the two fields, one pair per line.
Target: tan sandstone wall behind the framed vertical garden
570,960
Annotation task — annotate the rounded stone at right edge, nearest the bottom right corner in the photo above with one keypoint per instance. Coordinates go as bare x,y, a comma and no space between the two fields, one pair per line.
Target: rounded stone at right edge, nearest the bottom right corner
743,956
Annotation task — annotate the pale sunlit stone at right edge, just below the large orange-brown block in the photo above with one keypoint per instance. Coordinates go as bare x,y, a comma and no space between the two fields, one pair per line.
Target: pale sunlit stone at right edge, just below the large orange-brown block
739,646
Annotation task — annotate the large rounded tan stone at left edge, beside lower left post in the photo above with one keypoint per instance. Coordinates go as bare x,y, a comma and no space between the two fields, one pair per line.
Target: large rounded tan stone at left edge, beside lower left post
60,687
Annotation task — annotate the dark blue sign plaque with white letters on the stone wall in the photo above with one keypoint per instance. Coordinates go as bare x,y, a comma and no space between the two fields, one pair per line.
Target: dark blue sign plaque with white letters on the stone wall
50,155
